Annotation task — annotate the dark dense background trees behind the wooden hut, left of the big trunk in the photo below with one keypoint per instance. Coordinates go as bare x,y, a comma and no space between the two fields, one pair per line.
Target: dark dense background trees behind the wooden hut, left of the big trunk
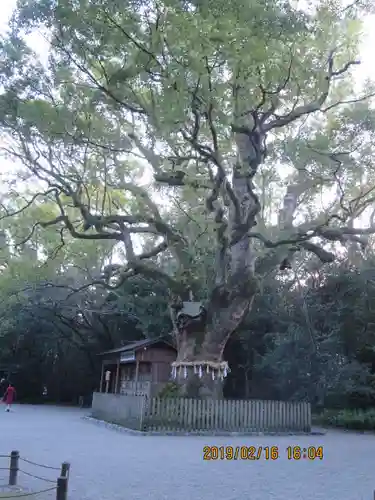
50,336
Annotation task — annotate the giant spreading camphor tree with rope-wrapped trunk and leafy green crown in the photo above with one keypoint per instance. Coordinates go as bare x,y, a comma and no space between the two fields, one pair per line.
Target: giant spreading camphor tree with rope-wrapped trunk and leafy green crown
245,112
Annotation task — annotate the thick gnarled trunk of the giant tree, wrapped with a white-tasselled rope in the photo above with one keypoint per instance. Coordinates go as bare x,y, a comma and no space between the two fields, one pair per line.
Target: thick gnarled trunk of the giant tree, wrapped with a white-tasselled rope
200,368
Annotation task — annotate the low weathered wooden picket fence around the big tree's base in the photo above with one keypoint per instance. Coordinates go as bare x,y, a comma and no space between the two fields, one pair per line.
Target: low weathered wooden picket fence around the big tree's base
183,414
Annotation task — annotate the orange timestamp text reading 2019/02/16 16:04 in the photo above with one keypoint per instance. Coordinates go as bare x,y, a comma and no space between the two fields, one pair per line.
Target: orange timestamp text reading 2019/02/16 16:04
262,453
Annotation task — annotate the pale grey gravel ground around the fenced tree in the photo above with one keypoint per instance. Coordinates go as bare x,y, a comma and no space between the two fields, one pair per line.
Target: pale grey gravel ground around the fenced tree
108,465
